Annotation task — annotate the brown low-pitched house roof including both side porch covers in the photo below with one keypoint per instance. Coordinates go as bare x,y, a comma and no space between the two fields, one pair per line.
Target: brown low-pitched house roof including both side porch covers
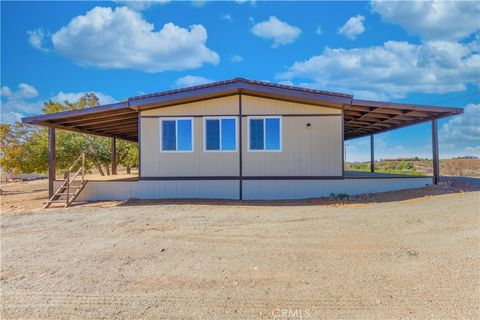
361,117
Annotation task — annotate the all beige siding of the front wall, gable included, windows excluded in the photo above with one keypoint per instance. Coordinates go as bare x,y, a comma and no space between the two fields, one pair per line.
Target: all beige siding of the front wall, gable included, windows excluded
316,151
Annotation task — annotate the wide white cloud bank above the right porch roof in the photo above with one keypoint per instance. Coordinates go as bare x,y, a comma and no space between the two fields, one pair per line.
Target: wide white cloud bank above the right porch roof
392,70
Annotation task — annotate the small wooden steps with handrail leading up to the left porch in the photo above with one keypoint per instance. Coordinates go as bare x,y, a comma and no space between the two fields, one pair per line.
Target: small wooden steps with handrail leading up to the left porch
71,186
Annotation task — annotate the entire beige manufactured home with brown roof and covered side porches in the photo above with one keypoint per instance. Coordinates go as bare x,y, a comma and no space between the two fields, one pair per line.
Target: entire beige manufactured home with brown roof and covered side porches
240,139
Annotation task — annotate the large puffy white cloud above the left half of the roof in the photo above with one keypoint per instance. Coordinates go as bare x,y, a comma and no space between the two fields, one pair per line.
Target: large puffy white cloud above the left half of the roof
123,39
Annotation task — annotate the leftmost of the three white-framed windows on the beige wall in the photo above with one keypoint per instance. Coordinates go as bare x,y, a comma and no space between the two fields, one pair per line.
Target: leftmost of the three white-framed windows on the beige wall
177,135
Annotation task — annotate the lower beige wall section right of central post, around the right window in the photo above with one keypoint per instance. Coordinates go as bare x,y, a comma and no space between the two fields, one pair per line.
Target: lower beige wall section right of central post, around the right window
313,151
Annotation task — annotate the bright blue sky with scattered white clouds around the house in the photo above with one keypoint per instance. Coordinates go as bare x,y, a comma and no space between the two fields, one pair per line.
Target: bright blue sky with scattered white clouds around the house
415,52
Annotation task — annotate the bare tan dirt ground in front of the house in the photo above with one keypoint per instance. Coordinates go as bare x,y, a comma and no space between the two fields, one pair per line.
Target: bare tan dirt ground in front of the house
411,257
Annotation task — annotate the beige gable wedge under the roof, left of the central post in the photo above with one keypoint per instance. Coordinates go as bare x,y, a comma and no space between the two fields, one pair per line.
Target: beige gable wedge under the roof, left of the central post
219,106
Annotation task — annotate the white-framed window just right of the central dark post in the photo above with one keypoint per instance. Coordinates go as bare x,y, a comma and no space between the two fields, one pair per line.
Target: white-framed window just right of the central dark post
265,134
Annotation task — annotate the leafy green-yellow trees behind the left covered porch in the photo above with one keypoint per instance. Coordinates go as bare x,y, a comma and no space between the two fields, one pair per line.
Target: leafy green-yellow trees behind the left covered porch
24,148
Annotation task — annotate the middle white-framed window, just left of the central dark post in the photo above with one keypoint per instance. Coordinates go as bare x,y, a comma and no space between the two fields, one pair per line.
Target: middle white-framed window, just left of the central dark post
220,134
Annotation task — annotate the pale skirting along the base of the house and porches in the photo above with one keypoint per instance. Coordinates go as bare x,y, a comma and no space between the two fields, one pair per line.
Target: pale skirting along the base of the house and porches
252,189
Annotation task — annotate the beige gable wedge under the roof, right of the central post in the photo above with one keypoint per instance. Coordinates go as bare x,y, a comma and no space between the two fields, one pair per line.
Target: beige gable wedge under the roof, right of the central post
254,106
